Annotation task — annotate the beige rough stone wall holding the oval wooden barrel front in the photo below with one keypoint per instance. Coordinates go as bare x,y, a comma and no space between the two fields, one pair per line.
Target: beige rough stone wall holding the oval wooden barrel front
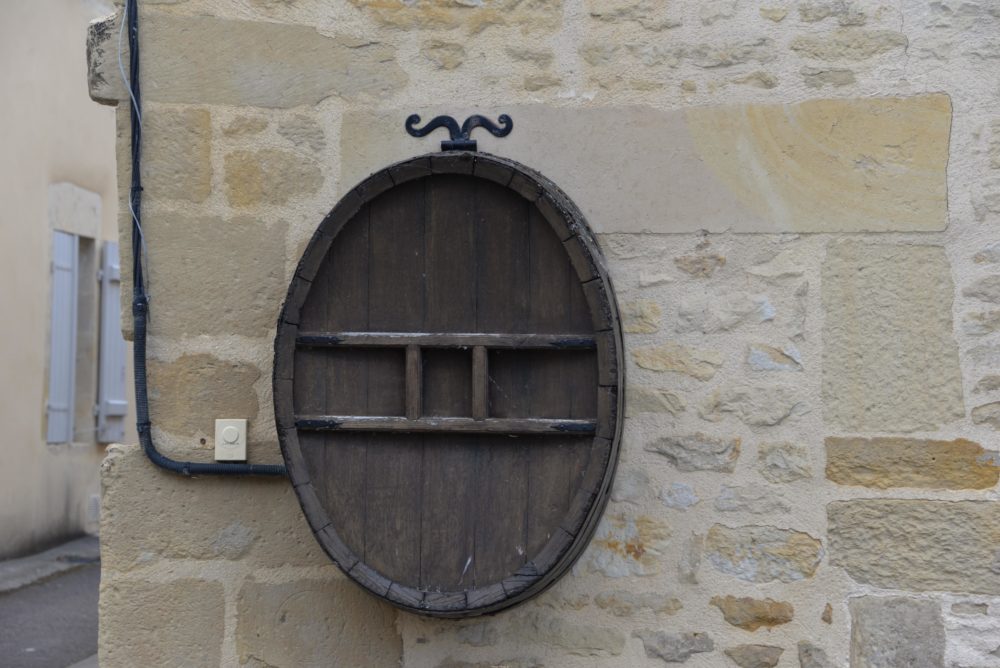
796,200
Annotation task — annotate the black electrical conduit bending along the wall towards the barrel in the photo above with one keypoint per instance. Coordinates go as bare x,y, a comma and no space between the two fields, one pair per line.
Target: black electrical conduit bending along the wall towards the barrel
140,301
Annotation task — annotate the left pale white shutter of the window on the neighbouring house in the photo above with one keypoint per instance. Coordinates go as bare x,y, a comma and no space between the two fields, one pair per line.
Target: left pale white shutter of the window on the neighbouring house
62,342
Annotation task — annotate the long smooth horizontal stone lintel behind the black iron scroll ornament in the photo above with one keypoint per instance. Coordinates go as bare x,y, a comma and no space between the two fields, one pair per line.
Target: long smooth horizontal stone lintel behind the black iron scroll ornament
851,165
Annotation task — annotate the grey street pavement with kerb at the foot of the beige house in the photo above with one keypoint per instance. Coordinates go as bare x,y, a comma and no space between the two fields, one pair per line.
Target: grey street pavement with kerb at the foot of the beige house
48,615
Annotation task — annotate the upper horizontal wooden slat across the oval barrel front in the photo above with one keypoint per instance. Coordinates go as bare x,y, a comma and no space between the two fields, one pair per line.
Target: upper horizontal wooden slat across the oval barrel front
433,340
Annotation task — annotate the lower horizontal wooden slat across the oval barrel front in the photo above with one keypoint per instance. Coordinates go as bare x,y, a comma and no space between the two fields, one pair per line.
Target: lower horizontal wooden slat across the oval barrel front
445,424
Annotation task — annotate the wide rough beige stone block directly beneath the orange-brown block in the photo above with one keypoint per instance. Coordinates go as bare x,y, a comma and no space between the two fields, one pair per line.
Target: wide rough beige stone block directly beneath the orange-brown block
918,545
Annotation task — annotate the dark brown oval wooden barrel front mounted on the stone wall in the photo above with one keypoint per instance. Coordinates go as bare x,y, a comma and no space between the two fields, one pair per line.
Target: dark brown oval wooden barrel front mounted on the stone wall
448,383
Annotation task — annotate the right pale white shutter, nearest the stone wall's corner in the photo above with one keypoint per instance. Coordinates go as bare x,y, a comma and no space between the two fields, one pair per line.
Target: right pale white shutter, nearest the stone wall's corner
112,399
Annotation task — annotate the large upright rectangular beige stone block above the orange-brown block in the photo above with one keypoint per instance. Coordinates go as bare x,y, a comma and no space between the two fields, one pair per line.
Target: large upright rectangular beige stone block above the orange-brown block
890,362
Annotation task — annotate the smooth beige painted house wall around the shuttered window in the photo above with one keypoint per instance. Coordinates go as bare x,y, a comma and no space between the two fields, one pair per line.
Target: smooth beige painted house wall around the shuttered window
52,133
